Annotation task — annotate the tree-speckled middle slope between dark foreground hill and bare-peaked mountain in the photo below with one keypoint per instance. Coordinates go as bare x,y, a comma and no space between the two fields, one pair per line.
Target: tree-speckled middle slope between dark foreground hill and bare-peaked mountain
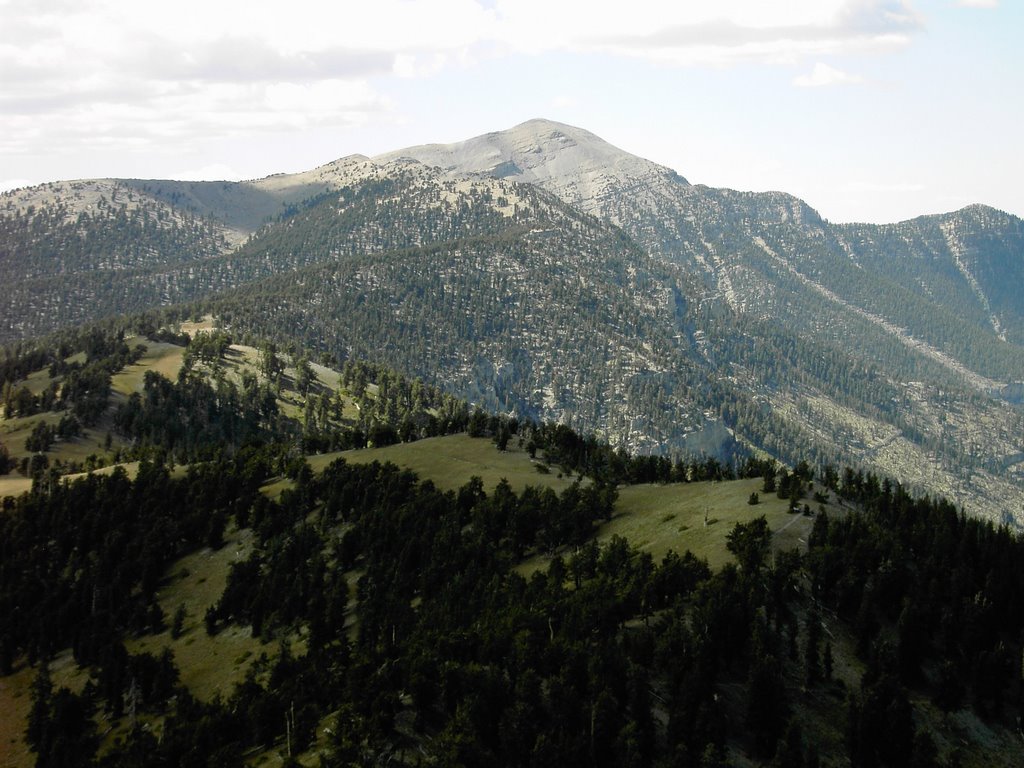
553,316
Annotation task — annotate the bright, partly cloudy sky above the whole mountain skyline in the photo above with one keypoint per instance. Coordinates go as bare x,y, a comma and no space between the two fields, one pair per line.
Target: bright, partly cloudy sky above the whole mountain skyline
869,110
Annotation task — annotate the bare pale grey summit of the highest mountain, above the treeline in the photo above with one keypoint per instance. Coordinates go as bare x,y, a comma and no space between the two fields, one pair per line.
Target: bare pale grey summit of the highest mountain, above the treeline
571,162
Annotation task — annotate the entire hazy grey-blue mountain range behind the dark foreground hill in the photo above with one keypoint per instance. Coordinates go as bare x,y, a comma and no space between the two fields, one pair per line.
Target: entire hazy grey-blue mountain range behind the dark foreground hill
543,271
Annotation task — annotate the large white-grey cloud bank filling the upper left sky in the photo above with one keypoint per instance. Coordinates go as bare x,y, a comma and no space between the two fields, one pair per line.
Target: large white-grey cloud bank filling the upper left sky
104,72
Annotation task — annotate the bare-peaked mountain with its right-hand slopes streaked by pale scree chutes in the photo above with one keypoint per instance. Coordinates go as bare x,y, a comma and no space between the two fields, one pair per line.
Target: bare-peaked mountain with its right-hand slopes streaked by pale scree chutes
922,308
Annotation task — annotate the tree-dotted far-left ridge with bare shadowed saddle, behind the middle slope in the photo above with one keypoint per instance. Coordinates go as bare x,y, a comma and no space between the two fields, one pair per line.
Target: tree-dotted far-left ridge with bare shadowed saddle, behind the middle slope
74,251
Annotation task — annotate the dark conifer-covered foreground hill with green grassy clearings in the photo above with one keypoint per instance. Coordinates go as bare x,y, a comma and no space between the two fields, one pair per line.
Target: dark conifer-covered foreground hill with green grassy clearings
228,601
